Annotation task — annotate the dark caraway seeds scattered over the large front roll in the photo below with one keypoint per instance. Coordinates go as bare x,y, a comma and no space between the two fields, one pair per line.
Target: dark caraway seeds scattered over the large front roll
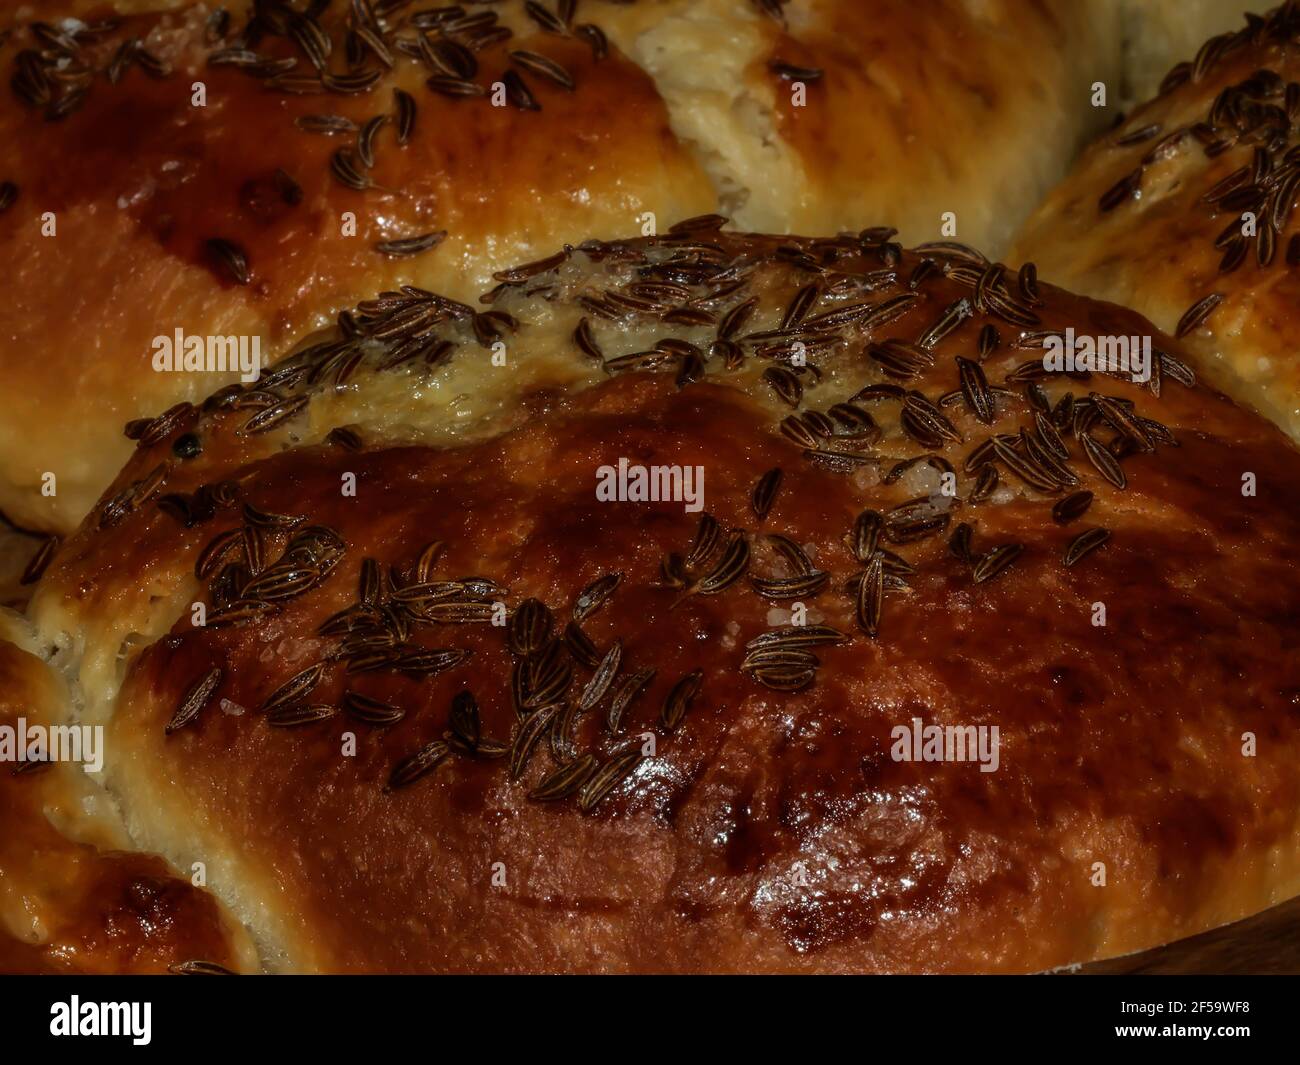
692,278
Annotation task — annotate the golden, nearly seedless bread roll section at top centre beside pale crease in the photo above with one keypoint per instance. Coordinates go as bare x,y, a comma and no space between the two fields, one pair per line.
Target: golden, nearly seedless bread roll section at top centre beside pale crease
903,112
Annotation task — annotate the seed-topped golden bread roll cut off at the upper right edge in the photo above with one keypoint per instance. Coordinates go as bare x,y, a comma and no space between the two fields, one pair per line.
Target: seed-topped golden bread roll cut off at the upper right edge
1185,213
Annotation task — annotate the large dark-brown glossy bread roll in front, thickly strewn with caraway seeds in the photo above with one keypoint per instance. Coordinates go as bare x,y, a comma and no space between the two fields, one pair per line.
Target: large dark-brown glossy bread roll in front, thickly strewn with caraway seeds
596,627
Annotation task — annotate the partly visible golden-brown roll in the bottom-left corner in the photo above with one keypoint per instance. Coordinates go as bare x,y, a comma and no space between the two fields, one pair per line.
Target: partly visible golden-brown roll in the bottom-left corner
73,898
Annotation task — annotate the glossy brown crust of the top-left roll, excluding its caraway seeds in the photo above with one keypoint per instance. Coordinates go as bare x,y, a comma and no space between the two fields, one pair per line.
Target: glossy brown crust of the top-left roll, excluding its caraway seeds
140,180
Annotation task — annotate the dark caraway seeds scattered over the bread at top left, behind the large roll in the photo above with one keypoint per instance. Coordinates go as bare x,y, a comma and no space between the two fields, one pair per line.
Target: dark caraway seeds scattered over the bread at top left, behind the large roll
59,71
